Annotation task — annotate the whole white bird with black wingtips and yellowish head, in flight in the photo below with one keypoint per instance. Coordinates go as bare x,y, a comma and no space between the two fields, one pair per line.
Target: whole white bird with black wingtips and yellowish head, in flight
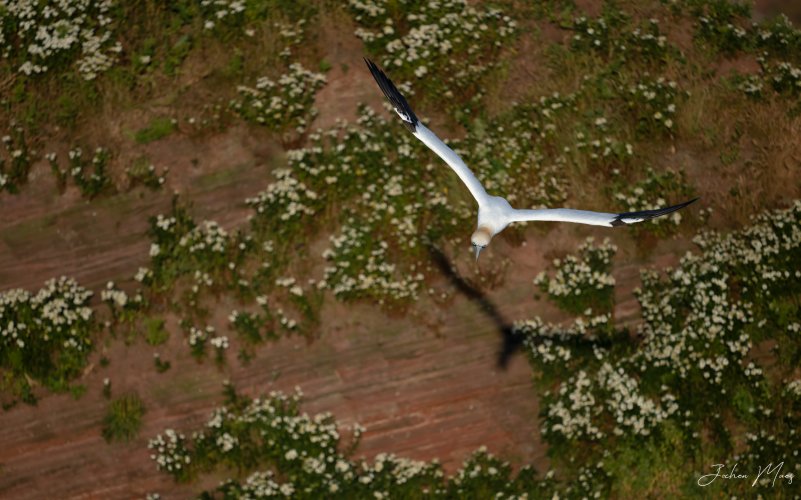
494,212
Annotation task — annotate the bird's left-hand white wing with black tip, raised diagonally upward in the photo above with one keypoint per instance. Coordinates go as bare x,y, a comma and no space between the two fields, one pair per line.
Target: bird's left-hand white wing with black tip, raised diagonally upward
428,137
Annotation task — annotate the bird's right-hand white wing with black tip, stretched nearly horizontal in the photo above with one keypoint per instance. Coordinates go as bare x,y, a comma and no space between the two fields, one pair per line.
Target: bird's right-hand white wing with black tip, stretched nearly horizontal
593,218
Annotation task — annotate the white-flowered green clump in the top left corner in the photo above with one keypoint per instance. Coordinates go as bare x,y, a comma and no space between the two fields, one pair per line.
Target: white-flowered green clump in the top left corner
38,36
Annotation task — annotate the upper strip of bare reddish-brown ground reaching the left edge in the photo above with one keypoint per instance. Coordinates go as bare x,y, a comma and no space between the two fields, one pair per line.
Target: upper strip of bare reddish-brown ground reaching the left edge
44,234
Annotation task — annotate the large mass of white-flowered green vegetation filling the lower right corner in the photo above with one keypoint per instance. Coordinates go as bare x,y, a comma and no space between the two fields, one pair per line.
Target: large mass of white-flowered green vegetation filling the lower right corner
690,381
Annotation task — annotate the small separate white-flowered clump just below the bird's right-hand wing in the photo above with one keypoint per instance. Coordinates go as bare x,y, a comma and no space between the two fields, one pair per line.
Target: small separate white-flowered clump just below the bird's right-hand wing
582,279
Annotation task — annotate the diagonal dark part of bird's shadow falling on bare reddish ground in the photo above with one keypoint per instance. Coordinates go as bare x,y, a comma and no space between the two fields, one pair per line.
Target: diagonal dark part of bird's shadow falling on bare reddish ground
511,342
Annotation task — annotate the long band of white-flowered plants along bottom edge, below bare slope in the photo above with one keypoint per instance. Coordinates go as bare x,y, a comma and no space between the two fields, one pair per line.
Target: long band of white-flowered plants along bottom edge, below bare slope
305,451
